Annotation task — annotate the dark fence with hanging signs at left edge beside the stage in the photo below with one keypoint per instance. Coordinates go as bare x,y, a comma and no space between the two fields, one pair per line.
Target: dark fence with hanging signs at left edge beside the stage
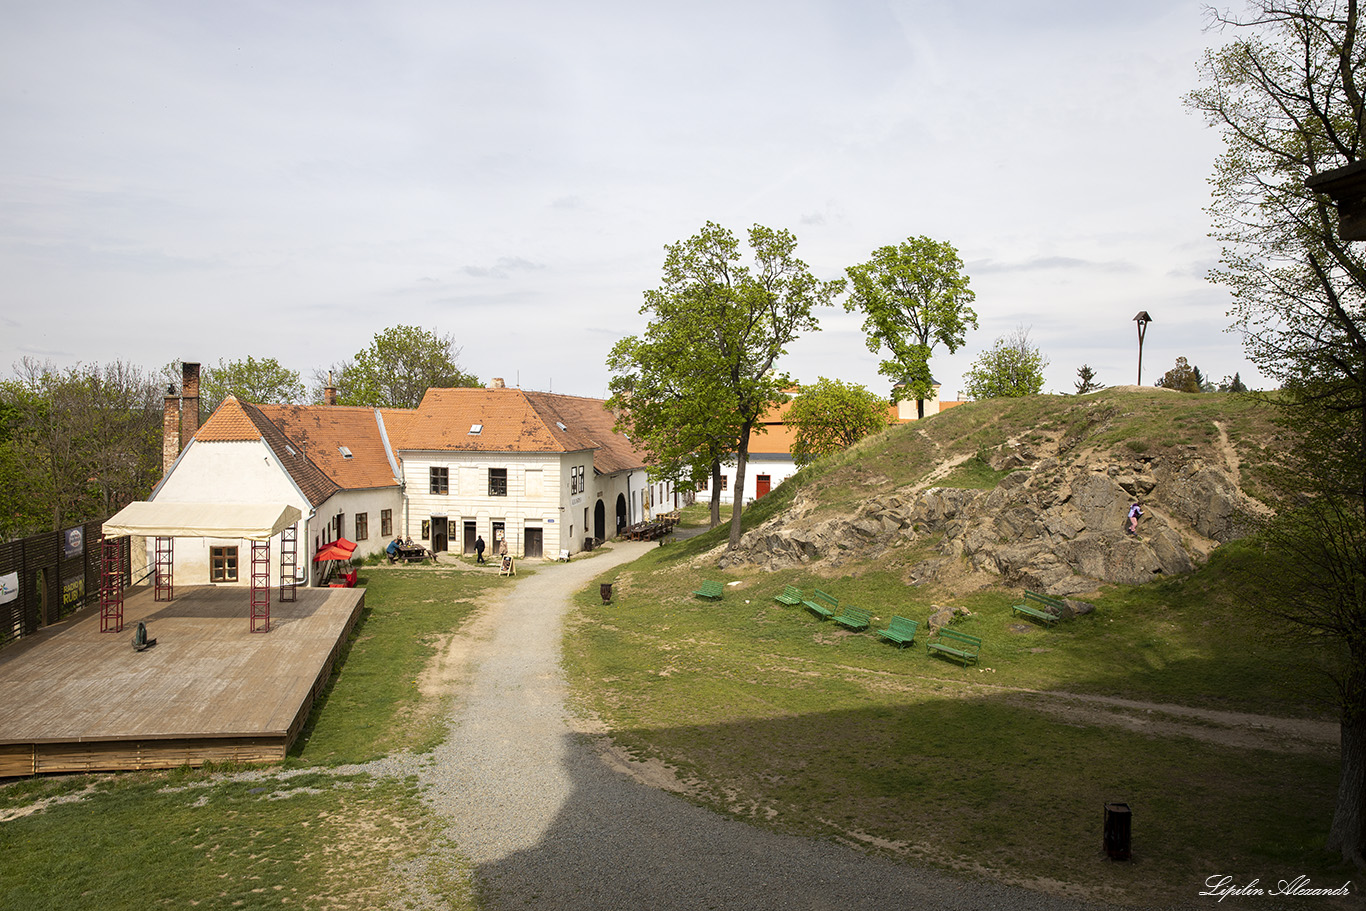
51,576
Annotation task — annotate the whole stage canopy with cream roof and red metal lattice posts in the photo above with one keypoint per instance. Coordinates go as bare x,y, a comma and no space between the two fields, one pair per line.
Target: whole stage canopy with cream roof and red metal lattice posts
163,522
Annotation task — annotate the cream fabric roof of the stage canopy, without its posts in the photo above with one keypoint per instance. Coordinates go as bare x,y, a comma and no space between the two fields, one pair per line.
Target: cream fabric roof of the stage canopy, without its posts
251,521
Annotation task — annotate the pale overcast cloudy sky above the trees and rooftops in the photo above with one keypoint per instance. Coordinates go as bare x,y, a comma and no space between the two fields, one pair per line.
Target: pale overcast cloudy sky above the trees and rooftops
286,178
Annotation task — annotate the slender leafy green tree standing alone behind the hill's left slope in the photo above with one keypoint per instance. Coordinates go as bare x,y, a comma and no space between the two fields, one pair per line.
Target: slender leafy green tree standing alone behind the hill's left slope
913,297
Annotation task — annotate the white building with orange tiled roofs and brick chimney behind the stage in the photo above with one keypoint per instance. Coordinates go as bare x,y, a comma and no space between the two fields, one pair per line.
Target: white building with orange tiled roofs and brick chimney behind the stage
540,471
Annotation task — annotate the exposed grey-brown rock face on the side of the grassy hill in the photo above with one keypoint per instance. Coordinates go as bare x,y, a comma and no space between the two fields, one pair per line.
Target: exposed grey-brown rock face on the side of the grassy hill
1048,527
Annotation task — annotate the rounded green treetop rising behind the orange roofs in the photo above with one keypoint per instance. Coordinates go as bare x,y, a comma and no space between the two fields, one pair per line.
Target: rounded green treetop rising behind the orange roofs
400,367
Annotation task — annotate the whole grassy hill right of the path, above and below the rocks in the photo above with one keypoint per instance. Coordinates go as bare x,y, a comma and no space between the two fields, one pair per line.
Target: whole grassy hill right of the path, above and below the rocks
1210,719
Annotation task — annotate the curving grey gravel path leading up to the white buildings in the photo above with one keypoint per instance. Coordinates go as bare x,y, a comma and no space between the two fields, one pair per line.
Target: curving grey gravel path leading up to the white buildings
548,824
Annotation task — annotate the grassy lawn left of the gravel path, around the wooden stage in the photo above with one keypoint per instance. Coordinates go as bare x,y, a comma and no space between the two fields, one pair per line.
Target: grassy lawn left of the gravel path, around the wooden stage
300,837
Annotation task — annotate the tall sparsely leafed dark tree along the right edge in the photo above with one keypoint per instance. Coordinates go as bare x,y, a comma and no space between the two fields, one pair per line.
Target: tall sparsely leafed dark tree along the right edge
1287,98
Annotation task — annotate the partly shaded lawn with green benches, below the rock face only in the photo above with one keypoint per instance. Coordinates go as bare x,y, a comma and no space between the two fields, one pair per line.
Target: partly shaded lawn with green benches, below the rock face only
800,726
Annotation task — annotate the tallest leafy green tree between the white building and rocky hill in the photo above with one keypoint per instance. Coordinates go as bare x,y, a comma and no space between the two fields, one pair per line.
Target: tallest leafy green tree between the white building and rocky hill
730,323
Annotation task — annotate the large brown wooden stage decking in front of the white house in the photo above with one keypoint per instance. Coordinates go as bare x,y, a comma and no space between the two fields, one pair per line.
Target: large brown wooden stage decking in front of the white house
77,700
